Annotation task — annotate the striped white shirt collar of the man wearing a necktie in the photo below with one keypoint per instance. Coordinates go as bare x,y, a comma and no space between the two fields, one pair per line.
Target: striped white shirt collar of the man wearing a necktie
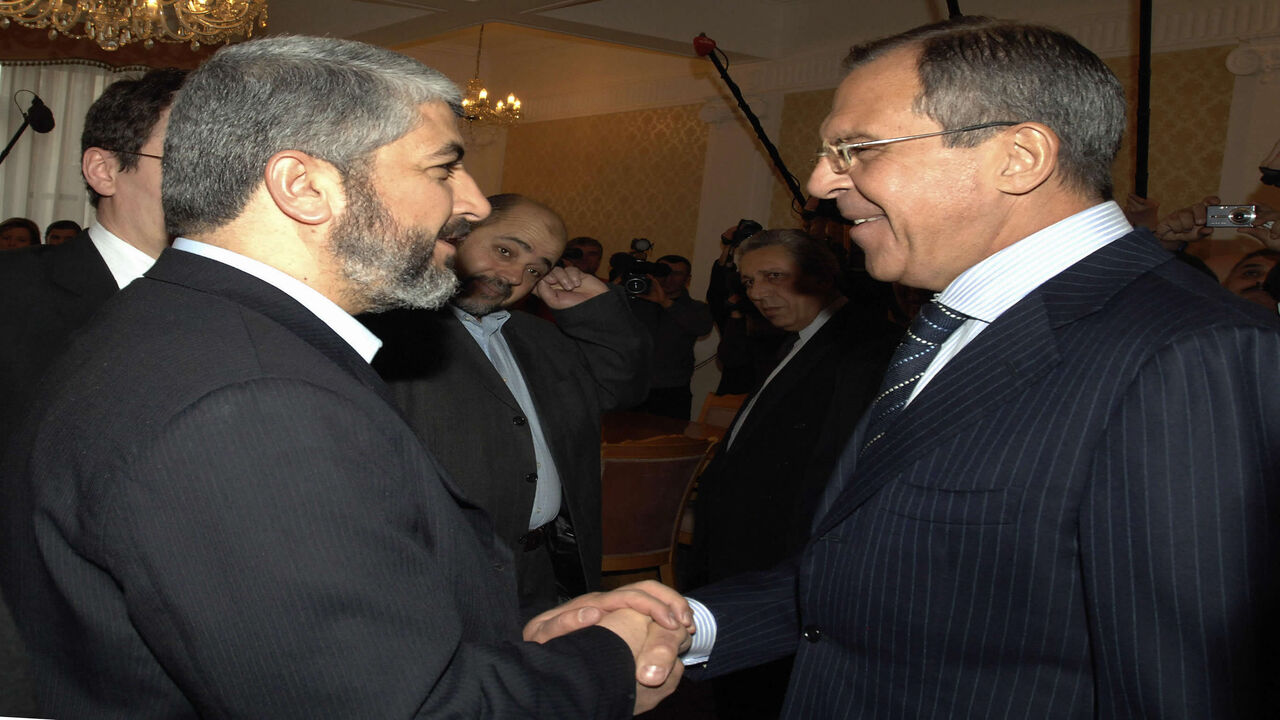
995,285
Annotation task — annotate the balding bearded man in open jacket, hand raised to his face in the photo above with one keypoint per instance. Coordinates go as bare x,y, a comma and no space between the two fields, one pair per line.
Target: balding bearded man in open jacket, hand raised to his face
510,403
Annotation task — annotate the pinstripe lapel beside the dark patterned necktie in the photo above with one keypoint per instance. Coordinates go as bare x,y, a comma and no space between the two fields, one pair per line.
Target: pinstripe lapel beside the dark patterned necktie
1017,350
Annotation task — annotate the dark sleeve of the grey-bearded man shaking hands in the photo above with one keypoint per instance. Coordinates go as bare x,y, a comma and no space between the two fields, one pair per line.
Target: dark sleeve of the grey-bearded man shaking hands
276,575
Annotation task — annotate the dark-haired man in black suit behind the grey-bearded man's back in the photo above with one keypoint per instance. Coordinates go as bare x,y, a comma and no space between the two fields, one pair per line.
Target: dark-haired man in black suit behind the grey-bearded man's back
49,291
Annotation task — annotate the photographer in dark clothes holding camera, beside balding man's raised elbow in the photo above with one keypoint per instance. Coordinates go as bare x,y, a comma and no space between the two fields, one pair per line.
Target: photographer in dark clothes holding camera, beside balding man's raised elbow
674,320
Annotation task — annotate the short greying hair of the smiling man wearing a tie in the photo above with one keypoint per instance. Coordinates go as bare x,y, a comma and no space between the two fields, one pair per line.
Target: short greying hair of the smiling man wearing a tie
979,70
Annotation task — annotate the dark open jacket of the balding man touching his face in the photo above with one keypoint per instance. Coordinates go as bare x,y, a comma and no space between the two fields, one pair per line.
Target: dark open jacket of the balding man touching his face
592,361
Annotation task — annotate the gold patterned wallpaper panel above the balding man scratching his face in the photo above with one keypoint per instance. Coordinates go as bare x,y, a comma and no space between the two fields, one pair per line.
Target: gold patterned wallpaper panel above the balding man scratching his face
616,177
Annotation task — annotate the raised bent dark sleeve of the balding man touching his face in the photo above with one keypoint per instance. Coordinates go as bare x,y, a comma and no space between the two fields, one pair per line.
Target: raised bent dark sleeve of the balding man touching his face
615,348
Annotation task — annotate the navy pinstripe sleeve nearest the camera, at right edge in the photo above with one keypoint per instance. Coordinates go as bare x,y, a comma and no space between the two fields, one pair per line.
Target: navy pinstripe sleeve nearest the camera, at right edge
1180,535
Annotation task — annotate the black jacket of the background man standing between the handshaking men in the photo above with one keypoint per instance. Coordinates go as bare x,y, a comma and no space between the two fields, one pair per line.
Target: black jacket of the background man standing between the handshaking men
756,502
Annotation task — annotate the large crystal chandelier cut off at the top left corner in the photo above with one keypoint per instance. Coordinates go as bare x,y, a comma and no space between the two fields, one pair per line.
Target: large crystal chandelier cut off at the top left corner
115,24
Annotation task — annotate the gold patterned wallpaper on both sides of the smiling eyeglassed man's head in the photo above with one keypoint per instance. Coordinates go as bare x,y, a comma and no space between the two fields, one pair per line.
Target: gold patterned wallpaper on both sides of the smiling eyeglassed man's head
1191,101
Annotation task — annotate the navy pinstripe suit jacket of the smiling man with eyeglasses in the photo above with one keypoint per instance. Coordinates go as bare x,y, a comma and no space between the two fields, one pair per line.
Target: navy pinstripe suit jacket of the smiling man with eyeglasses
1077,518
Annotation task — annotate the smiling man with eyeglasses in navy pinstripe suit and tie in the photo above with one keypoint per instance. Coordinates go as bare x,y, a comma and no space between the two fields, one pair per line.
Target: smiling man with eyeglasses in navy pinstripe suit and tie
1063,503
